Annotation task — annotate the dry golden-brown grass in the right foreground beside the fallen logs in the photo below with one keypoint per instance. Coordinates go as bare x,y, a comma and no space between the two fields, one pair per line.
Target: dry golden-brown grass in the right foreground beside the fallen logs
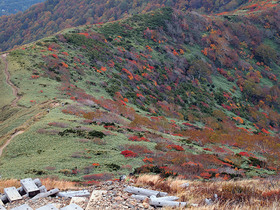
243,194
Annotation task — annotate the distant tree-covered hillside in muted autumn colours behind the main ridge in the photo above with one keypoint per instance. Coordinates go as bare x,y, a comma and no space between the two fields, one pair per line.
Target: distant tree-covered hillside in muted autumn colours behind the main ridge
54,15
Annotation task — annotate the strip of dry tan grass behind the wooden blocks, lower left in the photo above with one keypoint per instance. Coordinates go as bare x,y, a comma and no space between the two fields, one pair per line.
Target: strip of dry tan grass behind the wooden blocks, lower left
48,182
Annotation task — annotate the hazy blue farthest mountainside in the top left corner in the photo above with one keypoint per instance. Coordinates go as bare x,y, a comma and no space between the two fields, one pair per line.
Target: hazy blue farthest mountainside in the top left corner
14,6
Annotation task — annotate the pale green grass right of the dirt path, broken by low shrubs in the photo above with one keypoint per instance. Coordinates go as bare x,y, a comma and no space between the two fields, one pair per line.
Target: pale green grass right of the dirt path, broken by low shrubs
32,150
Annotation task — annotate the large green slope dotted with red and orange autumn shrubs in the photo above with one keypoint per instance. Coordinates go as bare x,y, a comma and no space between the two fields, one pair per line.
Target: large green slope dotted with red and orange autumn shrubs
169,92
